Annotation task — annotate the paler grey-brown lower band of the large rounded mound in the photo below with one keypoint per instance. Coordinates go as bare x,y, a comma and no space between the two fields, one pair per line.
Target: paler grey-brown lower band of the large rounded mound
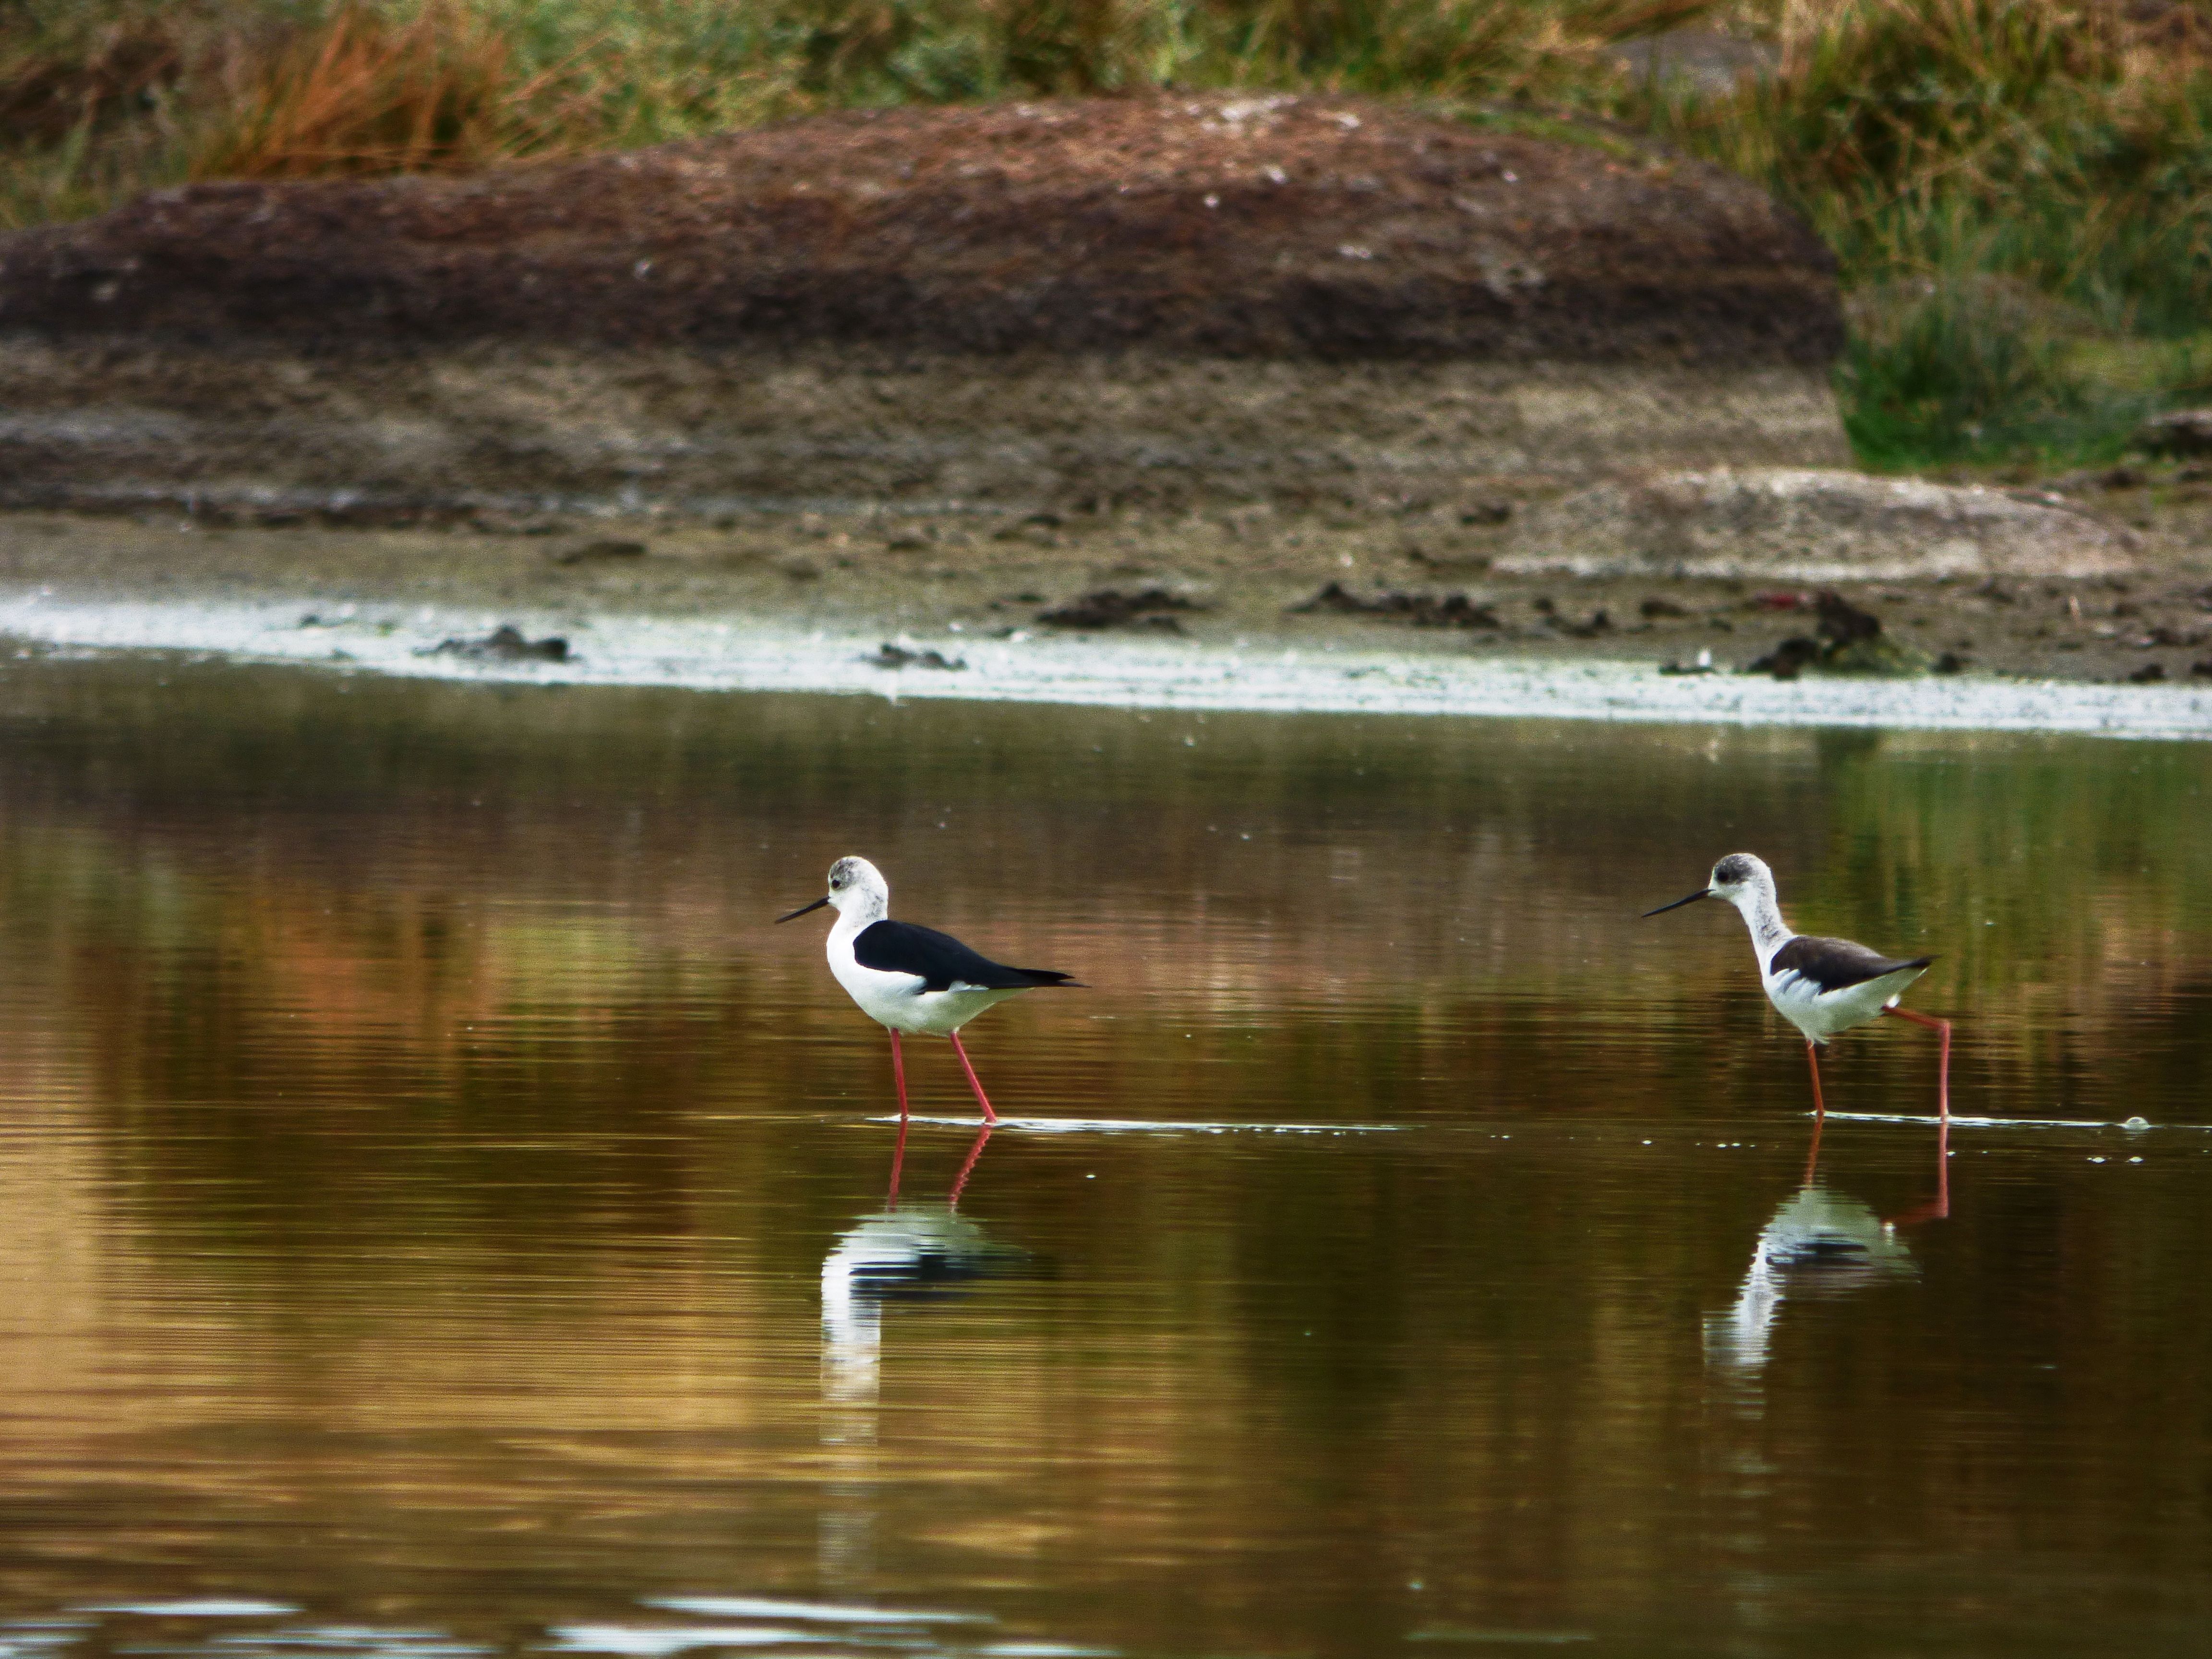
109,419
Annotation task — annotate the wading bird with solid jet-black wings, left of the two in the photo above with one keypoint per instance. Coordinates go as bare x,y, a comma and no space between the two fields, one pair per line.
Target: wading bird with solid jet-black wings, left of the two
912,979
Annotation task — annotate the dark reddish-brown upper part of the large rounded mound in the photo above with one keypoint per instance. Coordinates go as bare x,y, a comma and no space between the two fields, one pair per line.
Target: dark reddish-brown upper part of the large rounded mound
1215,227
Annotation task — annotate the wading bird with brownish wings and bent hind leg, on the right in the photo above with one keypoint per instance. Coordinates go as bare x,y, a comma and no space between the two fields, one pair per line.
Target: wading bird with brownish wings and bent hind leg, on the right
1819,985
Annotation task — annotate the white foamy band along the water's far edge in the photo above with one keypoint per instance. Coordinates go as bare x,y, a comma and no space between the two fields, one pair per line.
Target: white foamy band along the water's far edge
1087,671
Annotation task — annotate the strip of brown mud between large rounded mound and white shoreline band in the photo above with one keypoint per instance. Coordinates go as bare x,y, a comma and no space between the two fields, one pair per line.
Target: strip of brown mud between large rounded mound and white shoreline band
1240,576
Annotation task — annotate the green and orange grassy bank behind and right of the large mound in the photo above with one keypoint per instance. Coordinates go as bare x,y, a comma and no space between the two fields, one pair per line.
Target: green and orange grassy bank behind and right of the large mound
2021,194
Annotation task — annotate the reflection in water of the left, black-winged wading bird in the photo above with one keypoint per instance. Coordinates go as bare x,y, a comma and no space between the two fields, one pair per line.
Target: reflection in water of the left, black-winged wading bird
910,1253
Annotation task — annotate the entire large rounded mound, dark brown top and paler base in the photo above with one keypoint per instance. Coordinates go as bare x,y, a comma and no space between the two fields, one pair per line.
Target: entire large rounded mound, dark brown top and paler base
1180,304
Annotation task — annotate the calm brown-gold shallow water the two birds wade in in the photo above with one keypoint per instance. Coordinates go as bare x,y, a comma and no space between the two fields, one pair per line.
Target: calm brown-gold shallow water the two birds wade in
441,1215
